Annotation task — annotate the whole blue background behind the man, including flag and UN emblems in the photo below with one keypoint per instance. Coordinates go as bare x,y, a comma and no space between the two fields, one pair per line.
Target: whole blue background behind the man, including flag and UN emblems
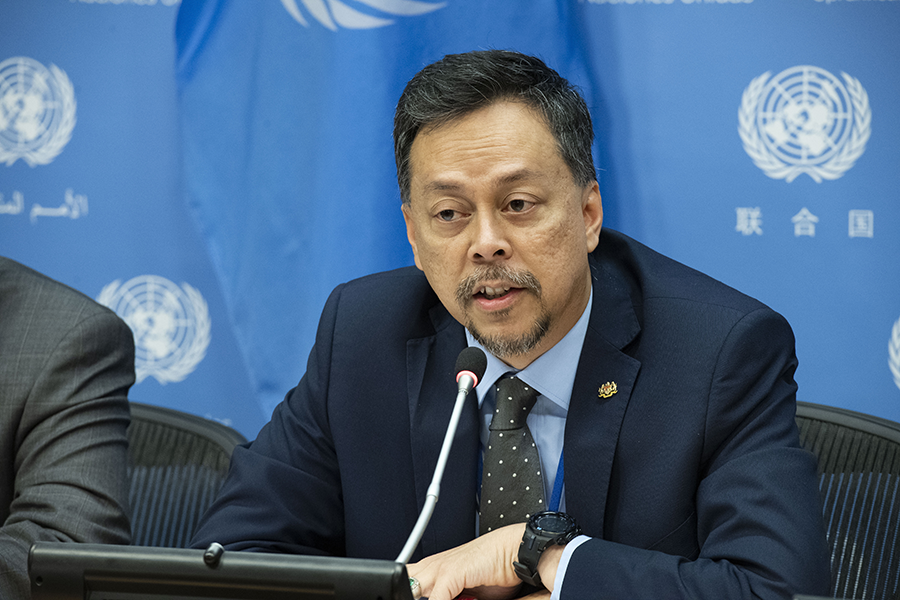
211,169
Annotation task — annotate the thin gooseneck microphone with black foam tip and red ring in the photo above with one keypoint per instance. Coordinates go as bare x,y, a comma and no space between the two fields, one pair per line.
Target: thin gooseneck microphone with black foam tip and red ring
470,366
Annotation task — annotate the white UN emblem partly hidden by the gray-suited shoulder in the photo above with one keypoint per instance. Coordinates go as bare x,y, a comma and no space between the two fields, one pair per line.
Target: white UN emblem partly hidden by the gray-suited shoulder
170,324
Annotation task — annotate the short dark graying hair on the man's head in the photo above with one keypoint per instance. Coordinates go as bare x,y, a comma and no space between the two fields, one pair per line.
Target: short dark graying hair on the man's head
459,84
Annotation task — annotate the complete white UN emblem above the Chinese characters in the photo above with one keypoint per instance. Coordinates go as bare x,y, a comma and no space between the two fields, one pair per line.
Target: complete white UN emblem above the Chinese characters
804,120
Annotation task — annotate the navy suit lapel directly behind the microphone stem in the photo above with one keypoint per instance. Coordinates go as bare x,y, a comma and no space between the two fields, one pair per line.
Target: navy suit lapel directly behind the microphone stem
431,390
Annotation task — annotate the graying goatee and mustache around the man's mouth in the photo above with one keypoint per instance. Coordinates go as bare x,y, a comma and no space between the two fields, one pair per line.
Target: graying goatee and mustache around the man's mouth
504,346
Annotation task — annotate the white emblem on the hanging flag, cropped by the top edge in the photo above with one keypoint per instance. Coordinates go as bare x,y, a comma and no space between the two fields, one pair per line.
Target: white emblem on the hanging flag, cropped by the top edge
334,13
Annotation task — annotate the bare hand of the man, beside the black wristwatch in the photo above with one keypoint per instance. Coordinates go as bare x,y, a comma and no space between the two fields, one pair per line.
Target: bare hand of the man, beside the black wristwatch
482,568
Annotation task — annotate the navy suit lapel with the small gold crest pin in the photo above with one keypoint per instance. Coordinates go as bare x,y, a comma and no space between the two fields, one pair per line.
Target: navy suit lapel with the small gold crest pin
594,421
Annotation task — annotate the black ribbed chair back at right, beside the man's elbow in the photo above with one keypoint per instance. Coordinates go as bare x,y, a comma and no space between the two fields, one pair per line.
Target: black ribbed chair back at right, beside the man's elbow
859,478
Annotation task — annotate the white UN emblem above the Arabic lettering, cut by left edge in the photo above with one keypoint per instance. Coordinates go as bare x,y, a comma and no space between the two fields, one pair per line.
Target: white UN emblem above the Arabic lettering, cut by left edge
37,111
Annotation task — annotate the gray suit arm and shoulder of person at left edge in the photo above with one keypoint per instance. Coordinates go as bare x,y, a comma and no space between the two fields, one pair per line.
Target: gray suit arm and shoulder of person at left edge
66,364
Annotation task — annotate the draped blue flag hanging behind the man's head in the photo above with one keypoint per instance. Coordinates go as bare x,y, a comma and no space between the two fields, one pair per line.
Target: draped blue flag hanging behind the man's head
286,114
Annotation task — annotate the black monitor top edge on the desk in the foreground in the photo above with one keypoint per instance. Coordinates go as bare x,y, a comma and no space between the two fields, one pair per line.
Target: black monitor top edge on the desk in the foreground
68,571
